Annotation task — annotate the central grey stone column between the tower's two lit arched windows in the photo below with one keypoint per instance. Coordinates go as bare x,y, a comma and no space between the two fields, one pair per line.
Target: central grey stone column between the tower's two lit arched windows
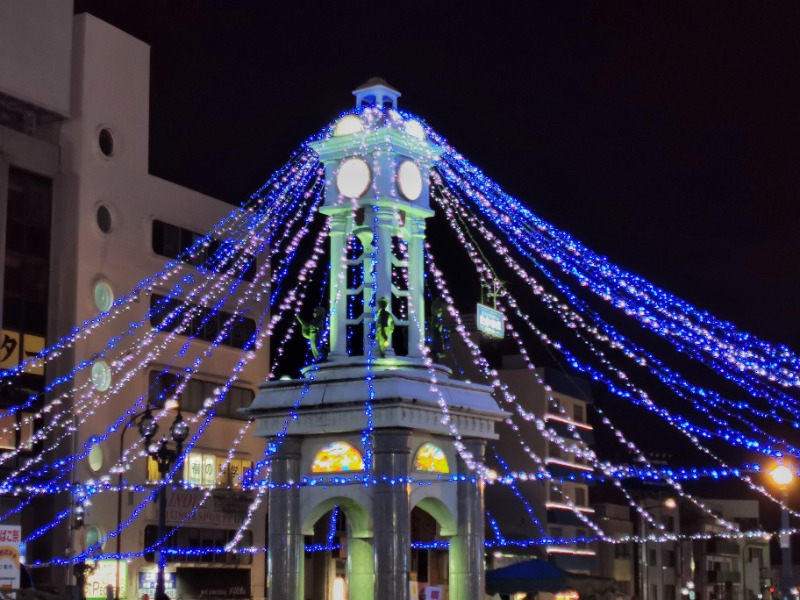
391,514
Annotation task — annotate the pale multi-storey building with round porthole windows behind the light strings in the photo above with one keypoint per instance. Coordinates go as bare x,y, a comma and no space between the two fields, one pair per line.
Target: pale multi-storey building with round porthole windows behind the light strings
85,223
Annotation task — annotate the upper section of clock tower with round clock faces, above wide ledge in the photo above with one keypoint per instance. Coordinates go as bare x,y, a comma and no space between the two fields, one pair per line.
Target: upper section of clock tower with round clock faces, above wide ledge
377,166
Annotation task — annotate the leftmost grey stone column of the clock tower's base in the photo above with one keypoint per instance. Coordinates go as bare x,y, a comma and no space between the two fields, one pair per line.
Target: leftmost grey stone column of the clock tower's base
285,548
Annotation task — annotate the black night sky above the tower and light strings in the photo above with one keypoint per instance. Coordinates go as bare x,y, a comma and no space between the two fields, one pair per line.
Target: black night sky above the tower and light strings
664,137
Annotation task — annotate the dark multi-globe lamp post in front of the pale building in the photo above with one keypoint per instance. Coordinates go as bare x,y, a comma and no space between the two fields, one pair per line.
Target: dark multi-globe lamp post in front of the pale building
165,457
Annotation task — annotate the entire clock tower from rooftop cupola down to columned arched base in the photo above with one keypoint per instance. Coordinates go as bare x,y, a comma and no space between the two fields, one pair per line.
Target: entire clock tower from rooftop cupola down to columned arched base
363,432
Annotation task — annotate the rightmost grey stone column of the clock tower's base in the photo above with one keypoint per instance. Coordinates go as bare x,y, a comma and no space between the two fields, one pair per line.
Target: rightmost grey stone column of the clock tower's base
467,569
